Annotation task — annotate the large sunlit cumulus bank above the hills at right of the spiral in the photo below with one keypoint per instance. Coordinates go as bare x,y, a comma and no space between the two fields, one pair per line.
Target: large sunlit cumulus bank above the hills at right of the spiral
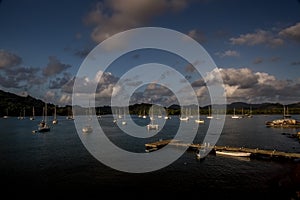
245,85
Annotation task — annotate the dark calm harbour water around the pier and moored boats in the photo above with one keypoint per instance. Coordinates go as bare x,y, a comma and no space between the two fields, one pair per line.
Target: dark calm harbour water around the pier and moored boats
57,162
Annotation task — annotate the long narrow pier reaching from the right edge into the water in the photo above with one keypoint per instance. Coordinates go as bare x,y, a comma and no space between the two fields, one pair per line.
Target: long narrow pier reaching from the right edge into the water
259,153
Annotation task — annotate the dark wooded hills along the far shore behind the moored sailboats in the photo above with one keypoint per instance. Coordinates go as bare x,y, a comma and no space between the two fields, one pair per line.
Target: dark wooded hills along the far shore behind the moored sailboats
12,104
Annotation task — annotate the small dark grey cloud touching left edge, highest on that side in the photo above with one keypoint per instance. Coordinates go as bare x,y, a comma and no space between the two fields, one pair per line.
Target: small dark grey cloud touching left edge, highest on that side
8,59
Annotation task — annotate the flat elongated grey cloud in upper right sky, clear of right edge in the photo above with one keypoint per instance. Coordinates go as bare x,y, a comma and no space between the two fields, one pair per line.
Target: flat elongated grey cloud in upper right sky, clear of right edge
257,38
